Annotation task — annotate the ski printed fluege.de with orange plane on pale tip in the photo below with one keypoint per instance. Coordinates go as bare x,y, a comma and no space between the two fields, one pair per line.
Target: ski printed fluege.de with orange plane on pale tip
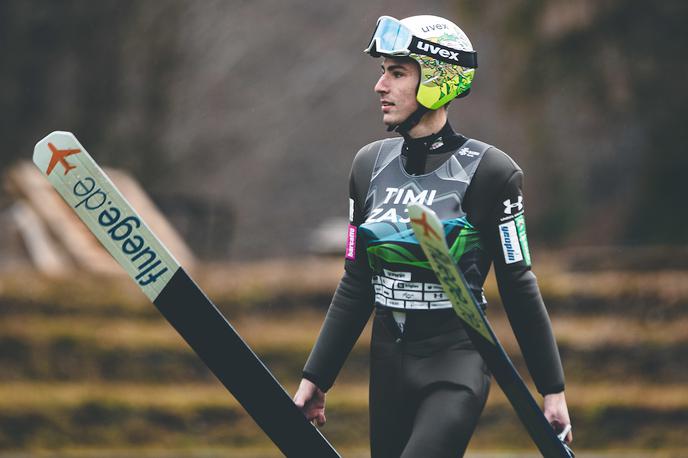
85,187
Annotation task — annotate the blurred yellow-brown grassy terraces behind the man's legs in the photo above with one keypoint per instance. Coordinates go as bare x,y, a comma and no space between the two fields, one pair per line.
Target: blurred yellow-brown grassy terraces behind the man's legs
89,368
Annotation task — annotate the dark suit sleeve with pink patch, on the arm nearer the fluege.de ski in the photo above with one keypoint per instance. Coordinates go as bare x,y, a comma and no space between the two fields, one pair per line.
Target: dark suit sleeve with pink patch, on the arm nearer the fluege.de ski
353,299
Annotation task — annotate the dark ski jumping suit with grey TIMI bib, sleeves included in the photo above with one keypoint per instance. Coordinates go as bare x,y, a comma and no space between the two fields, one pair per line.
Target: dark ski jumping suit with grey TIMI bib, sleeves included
428,385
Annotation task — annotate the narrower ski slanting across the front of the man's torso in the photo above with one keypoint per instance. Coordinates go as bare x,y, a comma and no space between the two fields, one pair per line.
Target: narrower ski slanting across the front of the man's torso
431,235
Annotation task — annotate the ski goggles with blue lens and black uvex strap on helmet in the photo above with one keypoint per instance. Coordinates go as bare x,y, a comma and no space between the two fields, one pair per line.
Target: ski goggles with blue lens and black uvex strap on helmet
392,38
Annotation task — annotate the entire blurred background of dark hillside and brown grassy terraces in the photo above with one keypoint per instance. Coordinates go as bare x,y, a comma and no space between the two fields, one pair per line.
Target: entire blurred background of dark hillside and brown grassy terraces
238,121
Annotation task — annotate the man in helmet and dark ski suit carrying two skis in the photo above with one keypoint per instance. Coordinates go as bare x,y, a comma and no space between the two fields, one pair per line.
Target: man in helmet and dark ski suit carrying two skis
428,384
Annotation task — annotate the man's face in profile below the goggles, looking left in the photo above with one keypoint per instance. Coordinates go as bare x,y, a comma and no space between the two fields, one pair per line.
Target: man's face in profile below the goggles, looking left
397,88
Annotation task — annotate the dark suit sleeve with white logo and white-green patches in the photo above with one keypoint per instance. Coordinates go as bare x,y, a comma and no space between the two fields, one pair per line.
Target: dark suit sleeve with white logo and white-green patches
504,235
